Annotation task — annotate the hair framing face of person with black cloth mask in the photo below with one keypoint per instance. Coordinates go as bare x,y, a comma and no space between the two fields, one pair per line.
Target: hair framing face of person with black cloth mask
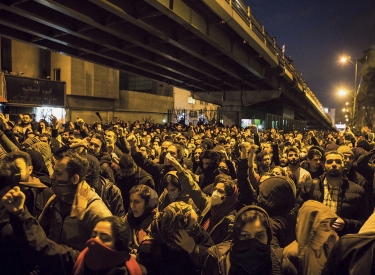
251,216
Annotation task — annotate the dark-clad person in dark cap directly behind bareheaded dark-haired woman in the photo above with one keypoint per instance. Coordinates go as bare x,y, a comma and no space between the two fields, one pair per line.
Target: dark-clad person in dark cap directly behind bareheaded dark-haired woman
130,175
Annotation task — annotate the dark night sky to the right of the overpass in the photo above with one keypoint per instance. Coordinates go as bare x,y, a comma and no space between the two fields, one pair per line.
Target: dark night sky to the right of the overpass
315,34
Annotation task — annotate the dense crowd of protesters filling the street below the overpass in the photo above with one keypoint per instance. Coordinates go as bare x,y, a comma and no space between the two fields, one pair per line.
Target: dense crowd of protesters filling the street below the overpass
132,198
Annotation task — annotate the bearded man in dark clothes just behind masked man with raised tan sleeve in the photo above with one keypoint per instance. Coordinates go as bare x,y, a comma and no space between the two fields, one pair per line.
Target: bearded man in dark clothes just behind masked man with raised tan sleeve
98,148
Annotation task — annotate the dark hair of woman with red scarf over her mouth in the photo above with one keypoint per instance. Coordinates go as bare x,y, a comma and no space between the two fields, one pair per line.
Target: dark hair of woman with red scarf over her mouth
120,232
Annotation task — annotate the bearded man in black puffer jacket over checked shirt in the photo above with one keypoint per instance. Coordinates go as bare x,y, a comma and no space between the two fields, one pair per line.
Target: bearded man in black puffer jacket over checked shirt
347,199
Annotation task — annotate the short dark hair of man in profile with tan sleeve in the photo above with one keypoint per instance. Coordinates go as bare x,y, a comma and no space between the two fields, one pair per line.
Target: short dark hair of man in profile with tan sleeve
76,165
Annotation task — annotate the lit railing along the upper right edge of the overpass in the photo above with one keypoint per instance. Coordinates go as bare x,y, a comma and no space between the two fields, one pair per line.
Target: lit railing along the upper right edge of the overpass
244,12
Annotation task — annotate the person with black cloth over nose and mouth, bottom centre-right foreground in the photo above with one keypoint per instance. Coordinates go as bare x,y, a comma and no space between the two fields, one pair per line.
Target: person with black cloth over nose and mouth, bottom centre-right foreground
250,250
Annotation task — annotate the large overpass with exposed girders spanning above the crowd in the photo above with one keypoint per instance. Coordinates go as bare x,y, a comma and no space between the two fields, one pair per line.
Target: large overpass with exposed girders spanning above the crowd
216,49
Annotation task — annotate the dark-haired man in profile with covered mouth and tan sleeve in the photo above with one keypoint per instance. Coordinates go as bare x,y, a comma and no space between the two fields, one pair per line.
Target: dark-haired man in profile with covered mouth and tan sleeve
72,213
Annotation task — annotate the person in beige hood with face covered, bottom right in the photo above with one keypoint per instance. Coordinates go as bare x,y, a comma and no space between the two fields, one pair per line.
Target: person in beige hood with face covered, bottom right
314,239
